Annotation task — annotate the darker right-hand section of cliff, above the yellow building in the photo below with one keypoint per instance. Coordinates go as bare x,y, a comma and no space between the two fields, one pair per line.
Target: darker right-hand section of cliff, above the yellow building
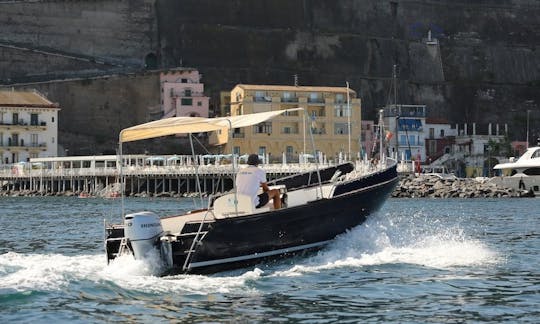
485,60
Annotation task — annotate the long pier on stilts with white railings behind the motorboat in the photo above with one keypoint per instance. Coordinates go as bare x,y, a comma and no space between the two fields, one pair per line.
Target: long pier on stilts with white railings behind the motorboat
142,174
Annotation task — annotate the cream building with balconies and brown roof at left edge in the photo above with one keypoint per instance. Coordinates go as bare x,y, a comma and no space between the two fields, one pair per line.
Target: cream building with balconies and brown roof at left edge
28,126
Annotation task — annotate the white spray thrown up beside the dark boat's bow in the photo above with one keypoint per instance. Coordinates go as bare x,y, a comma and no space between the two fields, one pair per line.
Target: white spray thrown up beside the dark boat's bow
399,239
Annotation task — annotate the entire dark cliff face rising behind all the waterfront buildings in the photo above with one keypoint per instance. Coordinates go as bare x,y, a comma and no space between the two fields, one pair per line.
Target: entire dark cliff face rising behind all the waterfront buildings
484,67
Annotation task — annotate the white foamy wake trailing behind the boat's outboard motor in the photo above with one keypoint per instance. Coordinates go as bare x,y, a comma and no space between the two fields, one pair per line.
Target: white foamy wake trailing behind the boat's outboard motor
53,272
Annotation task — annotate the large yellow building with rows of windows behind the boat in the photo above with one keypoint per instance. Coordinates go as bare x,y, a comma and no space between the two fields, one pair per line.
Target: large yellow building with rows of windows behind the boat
326,113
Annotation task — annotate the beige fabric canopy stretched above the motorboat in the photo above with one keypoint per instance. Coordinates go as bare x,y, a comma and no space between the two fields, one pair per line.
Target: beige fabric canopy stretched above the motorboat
187,125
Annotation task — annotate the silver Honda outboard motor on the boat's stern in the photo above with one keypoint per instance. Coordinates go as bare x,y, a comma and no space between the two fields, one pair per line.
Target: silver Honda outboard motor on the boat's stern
143,229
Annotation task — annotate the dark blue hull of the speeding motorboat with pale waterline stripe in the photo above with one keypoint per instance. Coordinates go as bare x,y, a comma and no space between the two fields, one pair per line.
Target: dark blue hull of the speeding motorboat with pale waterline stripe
247,240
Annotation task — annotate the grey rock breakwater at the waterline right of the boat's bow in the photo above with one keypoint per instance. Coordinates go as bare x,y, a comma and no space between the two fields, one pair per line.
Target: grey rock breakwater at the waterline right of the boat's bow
432,186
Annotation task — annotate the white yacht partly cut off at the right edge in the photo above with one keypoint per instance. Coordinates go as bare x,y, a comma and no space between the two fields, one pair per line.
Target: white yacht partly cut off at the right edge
522,174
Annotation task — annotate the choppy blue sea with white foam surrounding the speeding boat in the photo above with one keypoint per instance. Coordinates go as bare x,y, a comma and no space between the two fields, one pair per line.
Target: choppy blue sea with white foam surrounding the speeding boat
415,261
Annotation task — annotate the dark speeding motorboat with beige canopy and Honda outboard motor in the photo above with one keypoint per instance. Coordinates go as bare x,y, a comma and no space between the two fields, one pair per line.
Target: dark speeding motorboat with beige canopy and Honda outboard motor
230,232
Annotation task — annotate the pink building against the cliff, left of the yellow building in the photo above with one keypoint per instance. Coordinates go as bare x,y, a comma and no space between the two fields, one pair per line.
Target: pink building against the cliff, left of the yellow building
182,94
